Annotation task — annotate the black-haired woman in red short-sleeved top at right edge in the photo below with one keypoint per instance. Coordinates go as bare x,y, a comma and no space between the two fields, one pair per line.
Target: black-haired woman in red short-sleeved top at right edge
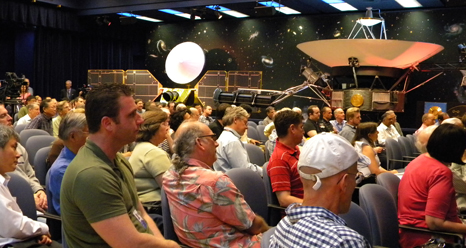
426,197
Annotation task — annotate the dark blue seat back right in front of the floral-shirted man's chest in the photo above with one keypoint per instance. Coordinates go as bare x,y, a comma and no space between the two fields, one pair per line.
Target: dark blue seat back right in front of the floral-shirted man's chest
250,184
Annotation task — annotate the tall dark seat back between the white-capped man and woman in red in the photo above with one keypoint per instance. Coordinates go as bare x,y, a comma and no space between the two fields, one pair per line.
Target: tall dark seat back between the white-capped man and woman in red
379,206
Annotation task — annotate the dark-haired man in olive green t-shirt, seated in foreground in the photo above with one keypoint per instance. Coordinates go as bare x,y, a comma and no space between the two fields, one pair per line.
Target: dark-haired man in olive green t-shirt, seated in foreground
99,202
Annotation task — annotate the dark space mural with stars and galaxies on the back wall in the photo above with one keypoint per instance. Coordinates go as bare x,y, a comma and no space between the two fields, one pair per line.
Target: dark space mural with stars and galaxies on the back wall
269,45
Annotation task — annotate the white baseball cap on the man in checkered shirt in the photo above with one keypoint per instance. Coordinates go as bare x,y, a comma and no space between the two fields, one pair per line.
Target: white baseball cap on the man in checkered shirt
330,154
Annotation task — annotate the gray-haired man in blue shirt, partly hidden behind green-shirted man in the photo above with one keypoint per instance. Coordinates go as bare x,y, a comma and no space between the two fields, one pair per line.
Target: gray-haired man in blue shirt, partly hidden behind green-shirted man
73,131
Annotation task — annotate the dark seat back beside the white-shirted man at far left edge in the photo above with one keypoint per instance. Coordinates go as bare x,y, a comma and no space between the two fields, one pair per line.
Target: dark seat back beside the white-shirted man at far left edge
19,187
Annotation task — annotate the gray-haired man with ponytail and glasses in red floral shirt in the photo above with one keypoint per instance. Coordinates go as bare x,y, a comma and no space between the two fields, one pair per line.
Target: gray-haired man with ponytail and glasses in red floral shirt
206,207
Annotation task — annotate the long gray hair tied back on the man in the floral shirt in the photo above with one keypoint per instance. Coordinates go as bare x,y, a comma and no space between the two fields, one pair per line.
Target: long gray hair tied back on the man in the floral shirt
185,143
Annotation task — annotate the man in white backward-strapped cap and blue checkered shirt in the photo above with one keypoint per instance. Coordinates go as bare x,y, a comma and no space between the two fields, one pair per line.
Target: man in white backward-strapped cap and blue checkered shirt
328,169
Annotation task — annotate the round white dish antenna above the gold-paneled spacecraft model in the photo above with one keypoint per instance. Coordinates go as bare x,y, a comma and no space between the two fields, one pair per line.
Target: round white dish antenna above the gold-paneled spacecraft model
185,62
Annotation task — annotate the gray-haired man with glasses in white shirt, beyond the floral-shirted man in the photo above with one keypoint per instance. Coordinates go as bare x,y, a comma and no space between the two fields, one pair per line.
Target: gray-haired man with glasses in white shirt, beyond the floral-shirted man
231,152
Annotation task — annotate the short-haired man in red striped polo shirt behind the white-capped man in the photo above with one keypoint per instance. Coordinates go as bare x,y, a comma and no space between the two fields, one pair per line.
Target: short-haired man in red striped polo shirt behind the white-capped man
283,164
